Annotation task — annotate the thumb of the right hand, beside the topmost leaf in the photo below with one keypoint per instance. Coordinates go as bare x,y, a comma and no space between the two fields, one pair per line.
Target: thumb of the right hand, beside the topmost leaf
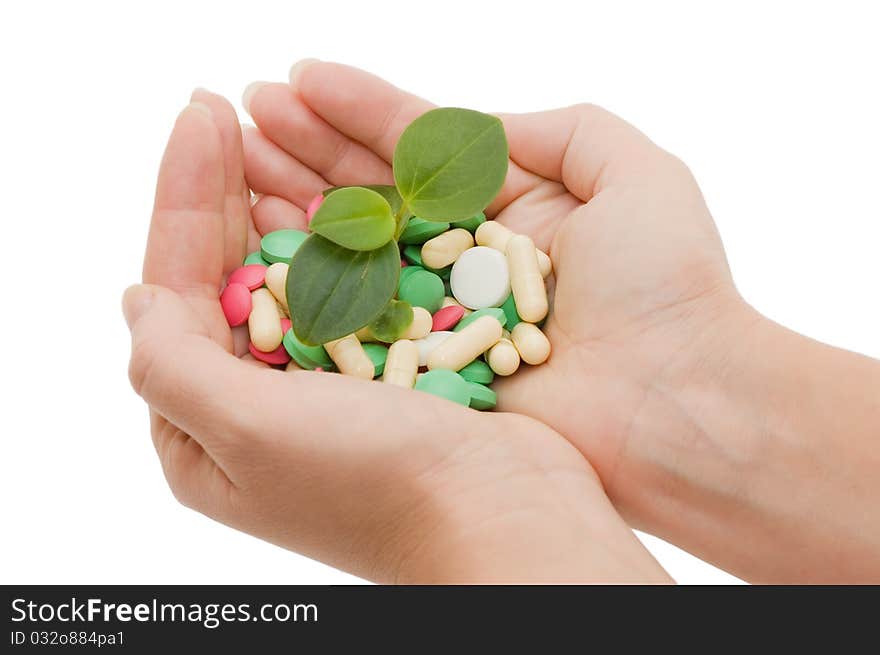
582,146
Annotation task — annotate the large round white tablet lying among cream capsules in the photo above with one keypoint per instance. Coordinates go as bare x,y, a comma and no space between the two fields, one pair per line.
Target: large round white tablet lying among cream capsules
480,278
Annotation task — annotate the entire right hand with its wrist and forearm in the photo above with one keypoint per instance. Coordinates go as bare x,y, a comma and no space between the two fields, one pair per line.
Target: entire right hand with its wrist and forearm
708,424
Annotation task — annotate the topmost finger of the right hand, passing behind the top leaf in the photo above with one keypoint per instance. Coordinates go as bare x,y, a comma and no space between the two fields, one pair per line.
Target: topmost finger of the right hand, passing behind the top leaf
375,113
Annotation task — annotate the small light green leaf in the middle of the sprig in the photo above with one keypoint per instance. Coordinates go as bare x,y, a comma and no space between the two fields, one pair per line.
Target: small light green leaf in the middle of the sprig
355,218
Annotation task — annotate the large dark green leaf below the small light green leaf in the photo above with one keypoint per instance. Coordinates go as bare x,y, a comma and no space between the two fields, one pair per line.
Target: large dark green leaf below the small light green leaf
333,291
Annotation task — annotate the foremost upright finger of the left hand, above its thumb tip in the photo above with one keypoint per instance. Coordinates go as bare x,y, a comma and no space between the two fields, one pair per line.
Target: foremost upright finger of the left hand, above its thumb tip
186,240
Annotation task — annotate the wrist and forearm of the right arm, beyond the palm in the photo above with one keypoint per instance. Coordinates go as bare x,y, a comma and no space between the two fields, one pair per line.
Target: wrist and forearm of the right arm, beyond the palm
755,478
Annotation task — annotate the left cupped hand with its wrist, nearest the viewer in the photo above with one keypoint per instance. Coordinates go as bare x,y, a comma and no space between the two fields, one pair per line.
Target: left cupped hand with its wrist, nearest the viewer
387,483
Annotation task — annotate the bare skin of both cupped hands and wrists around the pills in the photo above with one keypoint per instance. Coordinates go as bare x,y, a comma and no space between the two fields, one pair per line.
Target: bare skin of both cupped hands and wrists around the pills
706,423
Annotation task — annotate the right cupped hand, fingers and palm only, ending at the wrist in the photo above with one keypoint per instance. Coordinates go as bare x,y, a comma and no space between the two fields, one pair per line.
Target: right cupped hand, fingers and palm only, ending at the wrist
643,290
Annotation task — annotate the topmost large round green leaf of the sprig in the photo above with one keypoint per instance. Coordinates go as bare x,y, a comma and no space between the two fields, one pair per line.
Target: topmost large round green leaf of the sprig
450,163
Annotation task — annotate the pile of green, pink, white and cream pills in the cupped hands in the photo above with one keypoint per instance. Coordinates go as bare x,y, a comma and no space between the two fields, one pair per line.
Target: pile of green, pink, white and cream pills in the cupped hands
478,296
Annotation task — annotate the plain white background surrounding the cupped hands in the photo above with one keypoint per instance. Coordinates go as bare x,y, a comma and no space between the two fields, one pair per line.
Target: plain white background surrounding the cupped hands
774,106
